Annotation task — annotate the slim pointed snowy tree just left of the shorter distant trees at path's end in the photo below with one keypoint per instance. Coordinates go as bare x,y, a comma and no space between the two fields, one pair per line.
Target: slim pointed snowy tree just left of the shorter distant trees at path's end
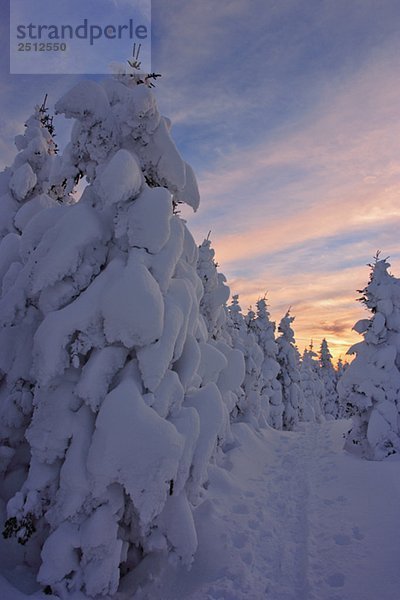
289,375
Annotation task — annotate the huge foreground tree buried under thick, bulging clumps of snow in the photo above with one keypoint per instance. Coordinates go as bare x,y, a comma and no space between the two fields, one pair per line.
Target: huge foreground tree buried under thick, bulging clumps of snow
122,413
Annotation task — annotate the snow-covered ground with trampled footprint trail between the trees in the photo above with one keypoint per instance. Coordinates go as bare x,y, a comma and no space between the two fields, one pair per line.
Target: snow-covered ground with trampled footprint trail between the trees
294,518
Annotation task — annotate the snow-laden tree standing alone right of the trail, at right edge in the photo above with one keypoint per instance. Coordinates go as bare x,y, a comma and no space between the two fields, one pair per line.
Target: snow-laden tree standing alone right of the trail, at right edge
370,386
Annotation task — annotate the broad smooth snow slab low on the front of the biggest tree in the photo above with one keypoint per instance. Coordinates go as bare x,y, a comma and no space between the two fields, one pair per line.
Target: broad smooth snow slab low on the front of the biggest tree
125,428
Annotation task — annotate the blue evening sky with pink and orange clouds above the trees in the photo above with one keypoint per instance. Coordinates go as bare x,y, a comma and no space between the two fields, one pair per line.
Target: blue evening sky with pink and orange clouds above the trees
288,111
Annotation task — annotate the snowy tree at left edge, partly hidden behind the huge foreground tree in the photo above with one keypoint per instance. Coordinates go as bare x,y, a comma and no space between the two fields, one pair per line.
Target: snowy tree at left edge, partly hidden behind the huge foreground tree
24,188
